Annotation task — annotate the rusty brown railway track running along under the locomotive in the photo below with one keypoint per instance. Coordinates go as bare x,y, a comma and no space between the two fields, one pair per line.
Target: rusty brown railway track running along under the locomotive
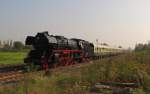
13,74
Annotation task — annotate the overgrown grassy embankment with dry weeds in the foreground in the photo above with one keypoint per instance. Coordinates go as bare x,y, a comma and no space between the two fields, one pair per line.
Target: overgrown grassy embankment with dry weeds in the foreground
132,67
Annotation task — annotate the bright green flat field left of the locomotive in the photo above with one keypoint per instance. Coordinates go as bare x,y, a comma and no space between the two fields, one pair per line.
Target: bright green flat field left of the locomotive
12,57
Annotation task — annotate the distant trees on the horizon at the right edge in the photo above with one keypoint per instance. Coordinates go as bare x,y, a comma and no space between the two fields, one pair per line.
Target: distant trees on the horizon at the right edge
140,47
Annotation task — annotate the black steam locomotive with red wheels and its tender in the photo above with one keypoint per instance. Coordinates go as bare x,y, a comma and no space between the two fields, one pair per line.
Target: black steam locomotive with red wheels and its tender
52,51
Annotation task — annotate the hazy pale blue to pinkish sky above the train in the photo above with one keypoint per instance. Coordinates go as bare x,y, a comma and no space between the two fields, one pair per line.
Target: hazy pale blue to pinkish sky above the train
116,22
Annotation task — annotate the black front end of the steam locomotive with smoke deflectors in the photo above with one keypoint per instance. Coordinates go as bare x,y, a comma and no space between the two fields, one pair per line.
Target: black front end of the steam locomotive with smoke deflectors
42,45
